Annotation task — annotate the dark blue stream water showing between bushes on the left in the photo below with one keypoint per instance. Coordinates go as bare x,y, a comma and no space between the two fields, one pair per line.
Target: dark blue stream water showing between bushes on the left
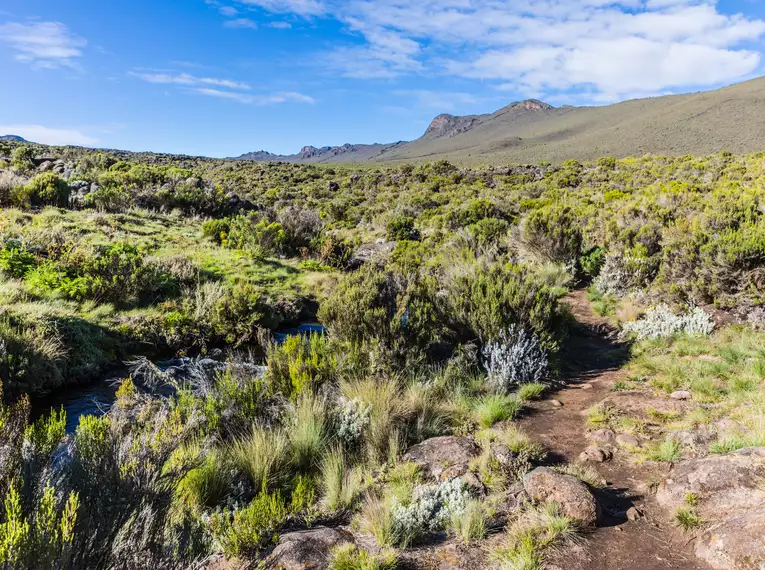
97,398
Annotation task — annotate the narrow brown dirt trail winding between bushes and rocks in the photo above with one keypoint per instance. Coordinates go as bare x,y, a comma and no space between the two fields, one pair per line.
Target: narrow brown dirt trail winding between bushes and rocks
593,358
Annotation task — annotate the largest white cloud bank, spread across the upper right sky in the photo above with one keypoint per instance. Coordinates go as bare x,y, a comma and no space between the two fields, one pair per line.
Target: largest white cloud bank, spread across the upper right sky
605,48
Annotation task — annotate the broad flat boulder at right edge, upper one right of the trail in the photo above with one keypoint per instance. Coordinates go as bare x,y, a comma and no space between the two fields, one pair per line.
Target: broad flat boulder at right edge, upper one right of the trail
726,485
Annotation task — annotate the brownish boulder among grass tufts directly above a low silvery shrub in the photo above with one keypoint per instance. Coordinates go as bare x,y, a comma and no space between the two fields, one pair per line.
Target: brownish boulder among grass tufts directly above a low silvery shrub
444,457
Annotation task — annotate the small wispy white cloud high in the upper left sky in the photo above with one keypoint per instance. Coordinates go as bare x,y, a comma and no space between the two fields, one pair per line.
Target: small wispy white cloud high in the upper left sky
43,44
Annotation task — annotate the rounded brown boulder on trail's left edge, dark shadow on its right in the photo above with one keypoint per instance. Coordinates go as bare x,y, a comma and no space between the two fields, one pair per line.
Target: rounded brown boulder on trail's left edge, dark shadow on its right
543,485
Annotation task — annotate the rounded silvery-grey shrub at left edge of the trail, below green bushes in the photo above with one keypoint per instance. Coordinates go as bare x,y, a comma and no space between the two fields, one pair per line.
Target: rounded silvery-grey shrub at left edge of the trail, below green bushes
515,358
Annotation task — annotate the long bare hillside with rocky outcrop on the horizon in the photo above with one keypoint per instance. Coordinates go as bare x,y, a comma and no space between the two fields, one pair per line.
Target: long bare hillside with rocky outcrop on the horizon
732,118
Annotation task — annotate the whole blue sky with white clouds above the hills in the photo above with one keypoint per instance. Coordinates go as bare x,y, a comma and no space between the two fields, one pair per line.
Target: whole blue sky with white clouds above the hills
224,77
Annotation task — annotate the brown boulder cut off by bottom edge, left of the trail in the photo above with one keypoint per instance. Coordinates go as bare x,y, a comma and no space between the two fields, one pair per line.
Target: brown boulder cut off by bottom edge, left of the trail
306,549
